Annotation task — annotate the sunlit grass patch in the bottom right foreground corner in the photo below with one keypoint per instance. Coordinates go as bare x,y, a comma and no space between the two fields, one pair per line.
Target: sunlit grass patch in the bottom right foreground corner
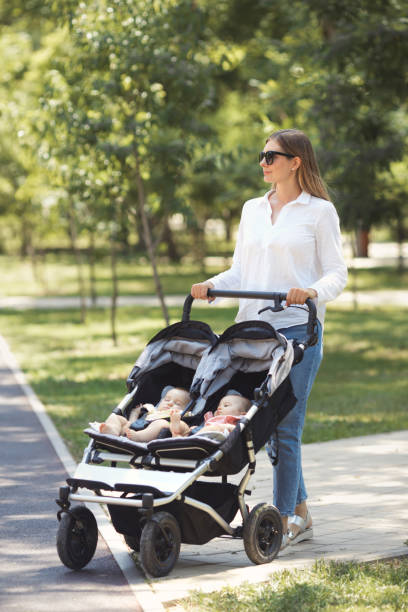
332,587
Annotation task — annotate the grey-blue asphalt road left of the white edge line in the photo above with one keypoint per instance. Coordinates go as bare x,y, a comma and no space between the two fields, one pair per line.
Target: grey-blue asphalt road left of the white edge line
32,578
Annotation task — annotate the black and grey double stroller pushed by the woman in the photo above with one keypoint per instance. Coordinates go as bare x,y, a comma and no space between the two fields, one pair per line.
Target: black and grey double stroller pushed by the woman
176,490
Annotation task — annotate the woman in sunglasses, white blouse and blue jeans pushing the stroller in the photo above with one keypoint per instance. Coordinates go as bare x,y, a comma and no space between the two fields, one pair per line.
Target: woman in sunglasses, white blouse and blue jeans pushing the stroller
288,241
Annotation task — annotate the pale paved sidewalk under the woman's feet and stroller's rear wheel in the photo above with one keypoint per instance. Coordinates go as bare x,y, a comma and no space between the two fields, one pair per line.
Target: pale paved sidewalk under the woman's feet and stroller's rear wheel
358,498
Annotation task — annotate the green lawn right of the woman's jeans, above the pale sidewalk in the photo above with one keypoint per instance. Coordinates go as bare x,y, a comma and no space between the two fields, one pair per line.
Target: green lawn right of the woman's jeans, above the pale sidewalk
362,384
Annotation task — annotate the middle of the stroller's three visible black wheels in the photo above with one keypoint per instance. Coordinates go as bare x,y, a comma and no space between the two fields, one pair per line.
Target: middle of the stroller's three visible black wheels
160,544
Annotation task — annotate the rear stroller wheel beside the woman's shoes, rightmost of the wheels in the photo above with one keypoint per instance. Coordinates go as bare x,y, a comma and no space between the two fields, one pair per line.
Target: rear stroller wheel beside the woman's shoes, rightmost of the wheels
262,534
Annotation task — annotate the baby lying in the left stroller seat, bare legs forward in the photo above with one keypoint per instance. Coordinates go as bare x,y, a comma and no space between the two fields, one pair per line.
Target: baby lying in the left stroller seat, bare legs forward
174,400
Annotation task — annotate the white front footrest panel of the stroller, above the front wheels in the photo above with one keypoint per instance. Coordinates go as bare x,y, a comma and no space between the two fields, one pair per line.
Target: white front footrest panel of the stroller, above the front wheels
118,479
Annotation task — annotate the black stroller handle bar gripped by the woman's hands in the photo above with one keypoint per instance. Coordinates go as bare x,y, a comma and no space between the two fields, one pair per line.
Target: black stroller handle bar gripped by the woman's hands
277,299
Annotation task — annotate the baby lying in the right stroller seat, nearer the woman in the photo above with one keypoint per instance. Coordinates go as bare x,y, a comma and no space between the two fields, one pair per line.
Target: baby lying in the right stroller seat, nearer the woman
229,411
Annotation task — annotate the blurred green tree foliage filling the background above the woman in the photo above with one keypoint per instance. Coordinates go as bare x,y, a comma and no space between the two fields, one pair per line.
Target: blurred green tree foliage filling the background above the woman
181,94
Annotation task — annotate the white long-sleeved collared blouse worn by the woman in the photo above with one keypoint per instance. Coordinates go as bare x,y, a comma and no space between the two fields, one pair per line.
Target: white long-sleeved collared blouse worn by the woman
301,249
